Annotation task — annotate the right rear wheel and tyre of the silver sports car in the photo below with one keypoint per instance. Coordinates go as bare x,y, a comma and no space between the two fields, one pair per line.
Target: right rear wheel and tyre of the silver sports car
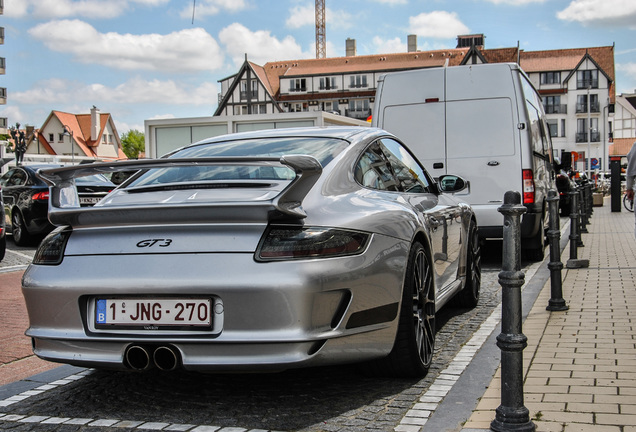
412,352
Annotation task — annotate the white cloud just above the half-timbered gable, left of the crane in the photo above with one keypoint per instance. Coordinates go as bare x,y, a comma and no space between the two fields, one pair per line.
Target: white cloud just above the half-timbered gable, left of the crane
260,46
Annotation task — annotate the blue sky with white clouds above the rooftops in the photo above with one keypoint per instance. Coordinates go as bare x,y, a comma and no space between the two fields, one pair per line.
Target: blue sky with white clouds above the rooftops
147,59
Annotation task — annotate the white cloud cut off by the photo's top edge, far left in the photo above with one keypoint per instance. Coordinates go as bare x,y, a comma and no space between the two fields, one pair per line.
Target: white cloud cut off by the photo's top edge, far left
54,9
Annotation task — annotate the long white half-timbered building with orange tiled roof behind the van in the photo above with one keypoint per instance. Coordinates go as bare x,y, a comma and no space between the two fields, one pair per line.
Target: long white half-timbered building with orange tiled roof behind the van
577,86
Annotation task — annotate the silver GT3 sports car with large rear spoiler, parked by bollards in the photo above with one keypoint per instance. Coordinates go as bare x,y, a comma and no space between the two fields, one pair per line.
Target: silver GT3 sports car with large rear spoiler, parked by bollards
266,250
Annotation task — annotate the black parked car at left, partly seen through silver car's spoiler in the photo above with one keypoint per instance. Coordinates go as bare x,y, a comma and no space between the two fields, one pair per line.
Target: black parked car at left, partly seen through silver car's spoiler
26,200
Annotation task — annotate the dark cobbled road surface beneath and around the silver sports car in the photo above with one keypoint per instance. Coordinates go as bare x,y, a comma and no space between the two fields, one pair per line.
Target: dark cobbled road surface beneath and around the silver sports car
309,400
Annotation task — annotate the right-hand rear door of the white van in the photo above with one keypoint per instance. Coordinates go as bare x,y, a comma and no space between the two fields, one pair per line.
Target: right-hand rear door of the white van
482,138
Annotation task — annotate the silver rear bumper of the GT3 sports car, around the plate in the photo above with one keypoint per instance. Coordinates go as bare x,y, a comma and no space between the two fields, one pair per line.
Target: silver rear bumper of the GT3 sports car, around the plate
273,315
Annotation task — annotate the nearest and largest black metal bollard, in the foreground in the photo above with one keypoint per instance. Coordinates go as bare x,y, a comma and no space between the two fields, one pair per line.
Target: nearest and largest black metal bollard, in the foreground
511,415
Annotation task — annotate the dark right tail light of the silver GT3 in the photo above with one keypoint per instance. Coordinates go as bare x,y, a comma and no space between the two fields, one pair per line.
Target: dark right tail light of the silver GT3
284,242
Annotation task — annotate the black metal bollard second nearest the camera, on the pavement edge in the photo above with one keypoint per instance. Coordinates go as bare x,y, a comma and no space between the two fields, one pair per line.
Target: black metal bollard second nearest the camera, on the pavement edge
556,302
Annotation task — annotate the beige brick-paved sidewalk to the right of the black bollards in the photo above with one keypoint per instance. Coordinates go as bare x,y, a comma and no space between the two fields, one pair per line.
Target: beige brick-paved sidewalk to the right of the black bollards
580,365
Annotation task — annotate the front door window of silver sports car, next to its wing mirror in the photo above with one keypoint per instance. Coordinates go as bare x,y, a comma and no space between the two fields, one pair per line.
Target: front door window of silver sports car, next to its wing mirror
409,173
